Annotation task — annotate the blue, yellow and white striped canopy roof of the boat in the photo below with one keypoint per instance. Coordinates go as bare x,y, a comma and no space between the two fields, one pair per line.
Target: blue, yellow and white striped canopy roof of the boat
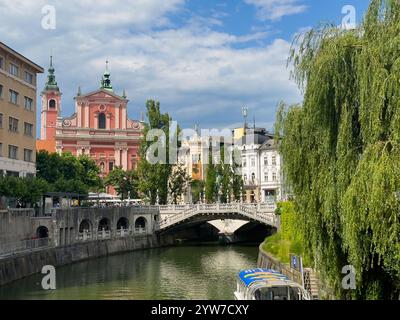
266,276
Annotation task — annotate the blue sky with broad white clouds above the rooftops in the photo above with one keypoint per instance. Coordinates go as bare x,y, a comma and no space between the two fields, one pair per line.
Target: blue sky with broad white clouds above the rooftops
202,59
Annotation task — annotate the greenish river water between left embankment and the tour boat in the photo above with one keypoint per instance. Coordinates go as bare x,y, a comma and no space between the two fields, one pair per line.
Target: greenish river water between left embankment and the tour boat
206,272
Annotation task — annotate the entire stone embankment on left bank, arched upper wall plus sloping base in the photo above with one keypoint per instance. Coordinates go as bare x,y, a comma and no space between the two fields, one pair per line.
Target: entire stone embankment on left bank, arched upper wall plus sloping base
74,235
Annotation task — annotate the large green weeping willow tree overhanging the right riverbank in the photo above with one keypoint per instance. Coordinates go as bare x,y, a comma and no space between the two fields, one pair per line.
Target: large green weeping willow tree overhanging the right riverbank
342,150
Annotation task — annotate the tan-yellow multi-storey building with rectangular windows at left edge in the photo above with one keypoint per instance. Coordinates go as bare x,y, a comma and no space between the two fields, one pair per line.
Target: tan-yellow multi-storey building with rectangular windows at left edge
18,85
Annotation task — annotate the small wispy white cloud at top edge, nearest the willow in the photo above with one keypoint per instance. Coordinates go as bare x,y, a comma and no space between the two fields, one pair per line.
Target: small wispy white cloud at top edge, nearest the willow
276,9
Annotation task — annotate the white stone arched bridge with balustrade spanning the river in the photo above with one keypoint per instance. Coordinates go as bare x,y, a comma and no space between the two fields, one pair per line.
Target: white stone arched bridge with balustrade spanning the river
173,216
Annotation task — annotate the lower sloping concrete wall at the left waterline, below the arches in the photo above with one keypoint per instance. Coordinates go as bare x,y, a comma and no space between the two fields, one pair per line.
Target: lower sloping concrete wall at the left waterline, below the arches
27,264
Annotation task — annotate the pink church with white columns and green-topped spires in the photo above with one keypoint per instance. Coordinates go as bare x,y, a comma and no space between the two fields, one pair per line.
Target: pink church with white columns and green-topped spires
99,128
